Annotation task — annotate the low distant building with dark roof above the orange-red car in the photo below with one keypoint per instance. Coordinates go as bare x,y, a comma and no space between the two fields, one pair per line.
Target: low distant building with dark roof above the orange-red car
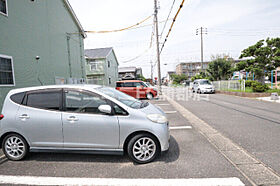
129,73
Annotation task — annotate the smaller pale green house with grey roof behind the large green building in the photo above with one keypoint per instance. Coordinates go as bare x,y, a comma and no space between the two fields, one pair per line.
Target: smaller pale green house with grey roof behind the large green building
101,66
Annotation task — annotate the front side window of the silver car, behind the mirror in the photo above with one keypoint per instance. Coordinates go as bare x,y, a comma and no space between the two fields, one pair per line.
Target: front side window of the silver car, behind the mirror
83,102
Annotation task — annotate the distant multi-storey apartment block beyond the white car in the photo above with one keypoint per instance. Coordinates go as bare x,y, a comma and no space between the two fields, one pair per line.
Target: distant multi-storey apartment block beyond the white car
190,69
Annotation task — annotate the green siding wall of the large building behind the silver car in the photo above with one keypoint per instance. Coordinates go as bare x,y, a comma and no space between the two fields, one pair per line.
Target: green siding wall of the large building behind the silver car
39,28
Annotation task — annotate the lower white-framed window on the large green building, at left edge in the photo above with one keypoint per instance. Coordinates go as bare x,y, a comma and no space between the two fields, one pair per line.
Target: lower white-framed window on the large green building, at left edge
6,71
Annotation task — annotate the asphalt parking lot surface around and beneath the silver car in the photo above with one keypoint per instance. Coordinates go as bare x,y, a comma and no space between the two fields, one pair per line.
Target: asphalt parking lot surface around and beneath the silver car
190,156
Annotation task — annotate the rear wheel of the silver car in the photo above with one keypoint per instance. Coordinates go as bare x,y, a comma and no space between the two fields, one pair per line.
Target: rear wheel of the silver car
15,147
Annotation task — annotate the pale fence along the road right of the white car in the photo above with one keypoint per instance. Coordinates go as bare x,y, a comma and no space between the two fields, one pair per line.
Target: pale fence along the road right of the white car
229,85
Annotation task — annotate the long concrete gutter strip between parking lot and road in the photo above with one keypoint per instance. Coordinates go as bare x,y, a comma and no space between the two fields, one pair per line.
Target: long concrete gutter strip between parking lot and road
250,167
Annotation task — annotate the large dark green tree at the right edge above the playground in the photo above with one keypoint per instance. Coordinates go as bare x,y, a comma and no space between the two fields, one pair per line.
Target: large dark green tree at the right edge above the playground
262,57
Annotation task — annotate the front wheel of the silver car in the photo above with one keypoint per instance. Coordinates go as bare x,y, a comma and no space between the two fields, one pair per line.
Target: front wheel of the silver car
143,148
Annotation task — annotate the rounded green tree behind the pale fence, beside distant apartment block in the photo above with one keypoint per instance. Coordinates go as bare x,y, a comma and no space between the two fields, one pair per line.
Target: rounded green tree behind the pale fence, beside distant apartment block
220,68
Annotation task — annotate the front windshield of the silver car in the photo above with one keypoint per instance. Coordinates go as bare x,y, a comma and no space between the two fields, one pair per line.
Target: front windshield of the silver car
122,97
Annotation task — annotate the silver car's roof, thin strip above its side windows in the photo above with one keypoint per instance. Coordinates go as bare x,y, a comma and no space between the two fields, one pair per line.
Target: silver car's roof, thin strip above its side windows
82,86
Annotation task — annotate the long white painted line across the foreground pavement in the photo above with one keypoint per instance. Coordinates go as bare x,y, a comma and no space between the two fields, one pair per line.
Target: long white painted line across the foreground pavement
32,180
